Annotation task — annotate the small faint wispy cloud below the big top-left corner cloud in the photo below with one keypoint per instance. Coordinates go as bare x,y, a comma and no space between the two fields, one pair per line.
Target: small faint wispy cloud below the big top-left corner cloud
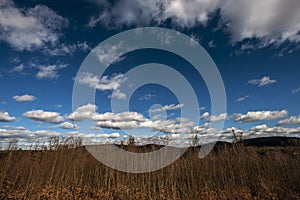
50,71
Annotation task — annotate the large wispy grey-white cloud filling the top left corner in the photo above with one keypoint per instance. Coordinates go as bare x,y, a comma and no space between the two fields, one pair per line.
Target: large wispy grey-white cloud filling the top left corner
29,29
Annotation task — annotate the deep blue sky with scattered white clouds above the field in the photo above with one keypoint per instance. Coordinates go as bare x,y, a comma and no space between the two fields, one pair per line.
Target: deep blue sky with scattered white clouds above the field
255,46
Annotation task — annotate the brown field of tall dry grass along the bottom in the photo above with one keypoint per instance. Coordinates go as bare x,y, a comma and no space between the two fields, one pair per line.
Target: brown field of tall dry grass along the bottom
253,169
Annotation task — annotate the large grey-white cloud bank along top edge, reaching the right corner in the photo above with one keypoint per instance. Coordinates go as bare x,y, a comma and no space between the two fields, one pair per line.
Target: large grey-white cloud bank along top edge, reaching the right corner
270,21
